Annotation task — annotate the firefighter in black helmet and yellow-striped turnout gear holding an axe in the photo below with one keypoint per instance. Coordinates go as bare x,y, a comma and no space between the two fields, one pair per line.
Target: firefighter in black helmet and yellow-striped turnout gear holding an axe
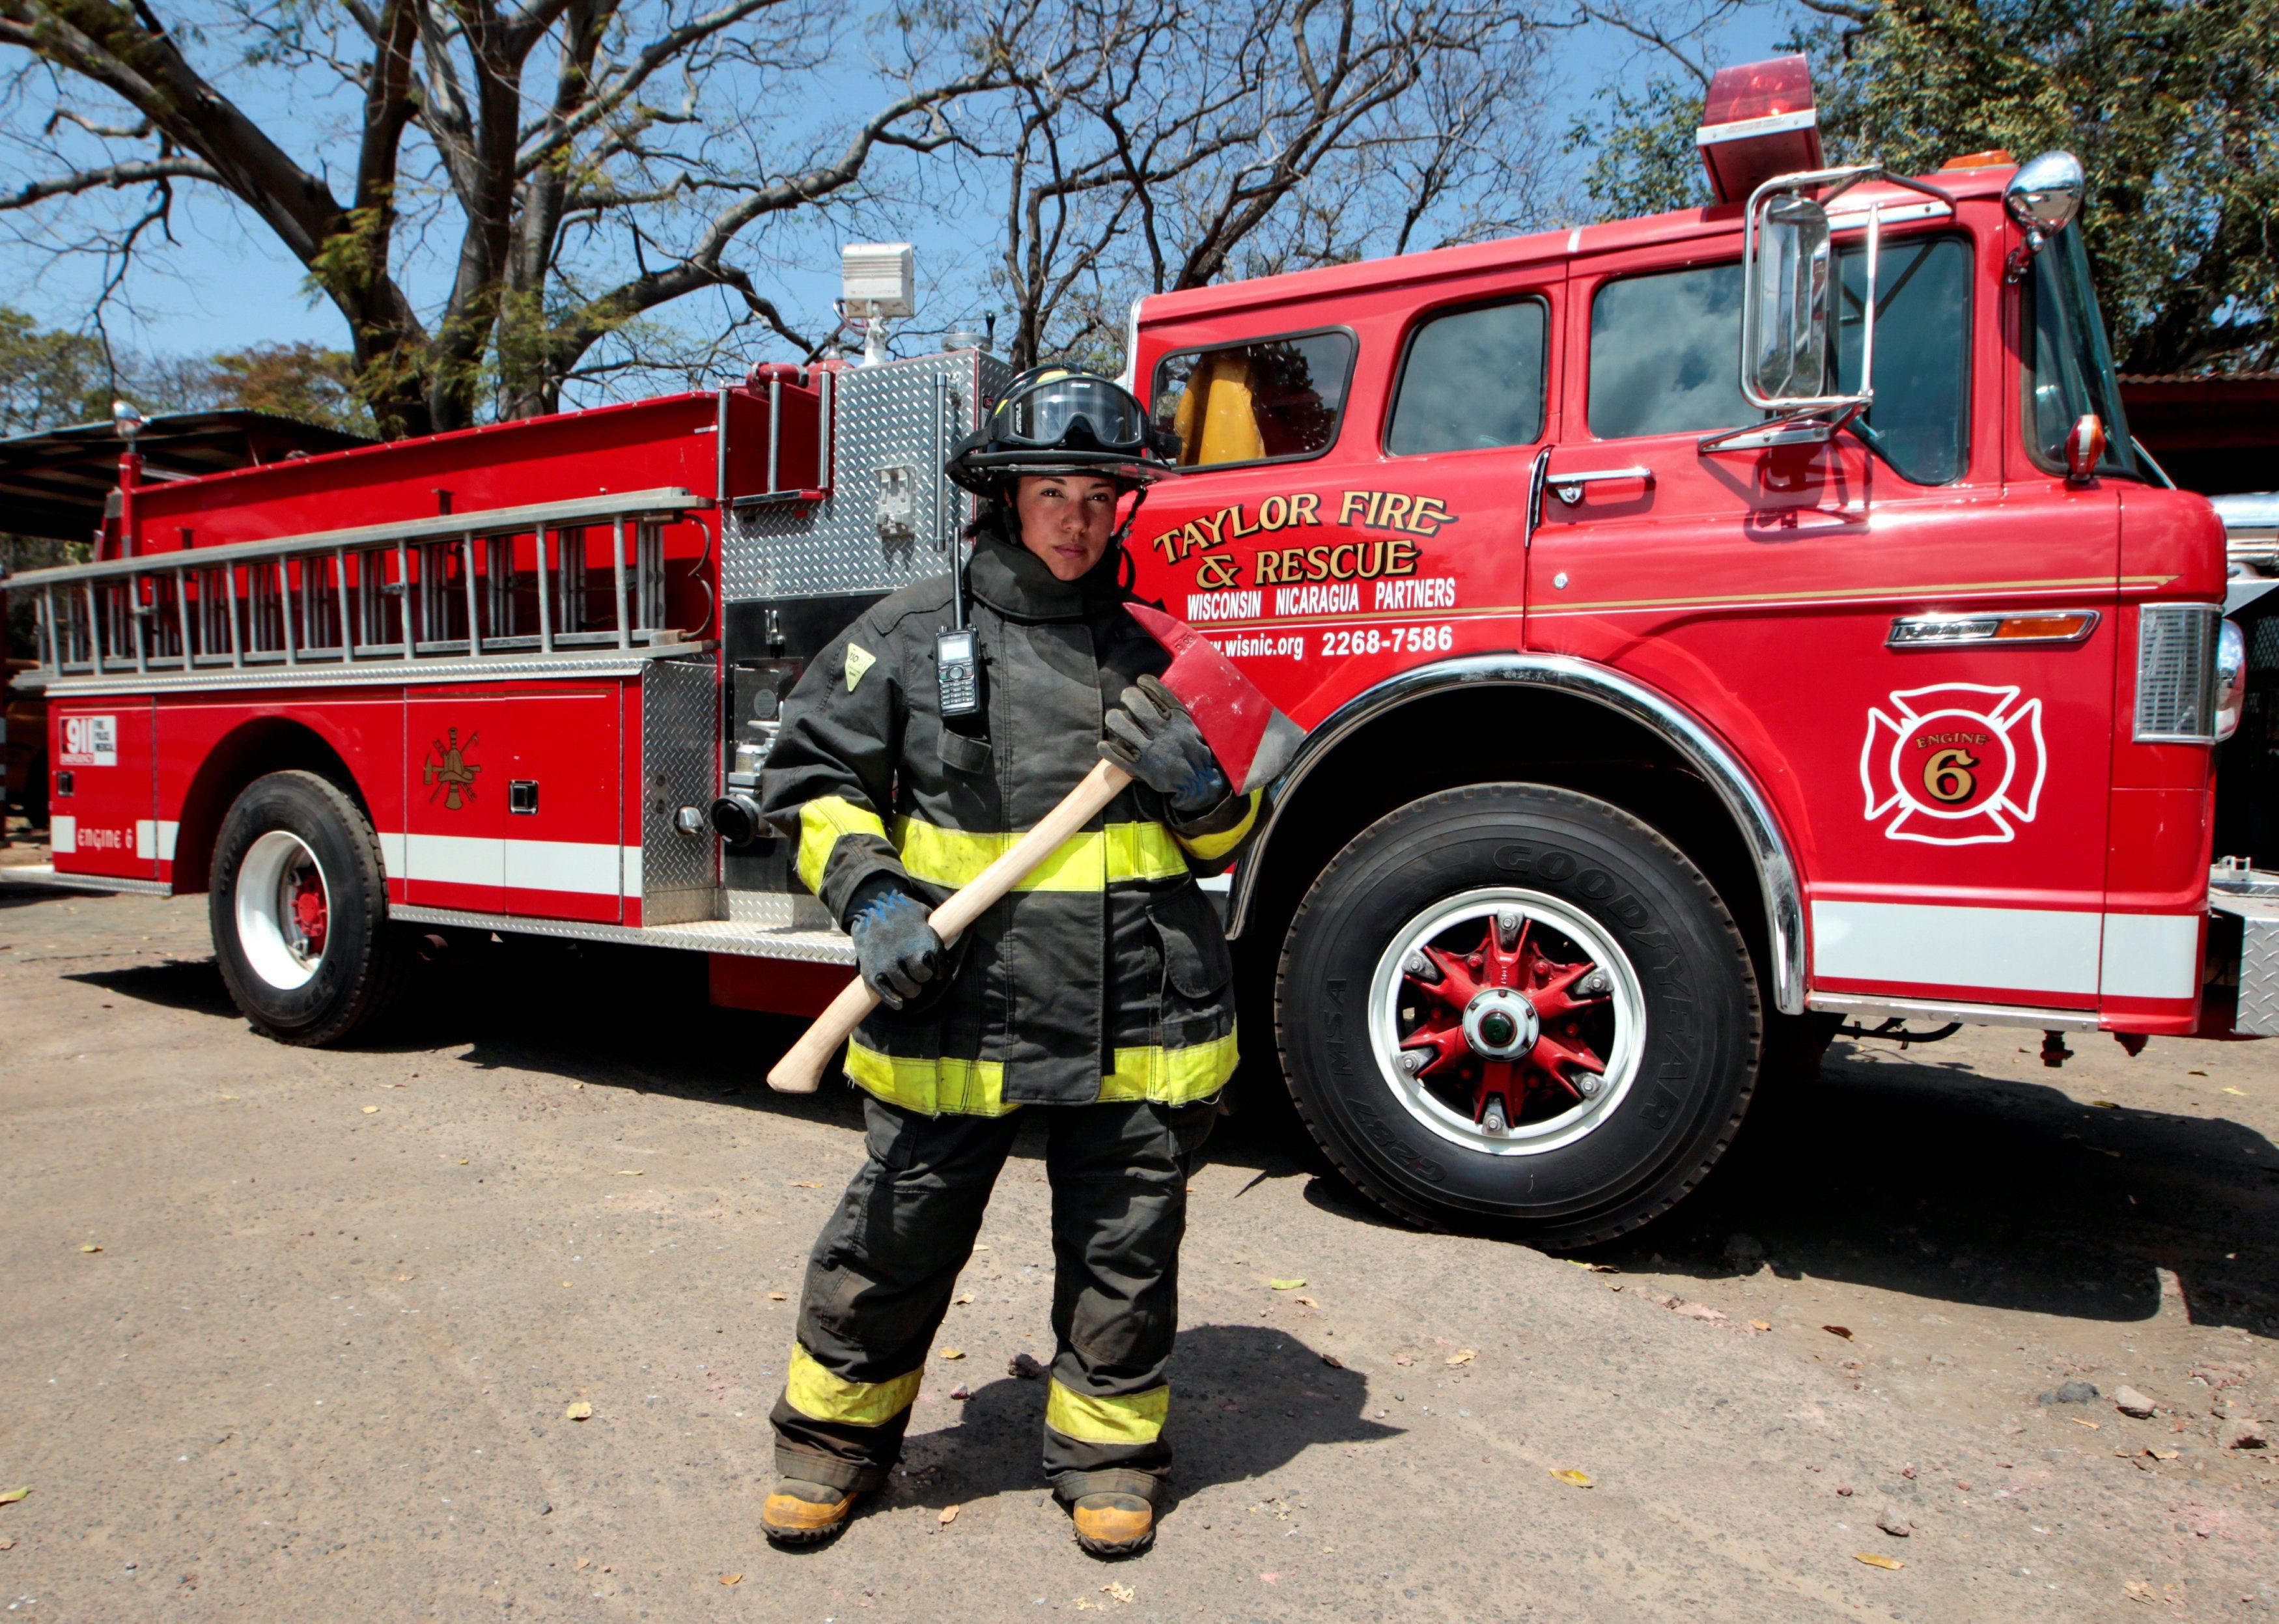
1100,990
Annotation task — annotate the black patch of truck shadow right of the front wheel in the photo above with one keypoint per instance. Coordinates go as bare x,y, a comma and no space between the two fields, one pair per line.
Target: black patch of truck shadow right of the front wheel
1927,1179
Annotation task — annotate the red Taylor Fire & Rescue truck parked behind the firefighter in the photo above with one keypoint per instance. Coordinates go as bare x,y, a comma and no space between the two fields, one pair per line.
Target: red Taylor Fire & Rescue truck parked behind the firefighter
1710,628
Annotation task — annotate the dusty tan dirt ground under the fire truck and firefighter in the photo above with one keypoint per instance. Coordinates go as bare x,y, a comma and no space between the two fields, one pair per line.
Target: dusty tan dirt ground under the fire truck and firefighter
293,1336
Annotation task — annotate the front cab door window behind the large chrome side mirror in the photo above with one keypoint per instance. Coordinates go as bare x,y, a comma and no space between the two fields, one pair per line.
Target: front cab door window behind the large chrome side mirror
1667,354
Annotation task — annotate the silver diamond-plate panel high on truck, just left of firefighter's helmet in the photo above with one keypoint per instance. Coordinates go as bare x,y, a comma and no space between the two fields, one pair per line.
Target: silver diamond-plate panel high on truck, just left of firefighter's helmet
904,416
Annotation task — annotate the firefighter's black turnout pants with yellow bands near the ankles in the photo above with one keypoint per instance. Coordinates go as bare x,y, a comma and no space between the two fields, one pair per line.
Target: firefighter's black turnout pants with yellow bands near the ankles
885,1265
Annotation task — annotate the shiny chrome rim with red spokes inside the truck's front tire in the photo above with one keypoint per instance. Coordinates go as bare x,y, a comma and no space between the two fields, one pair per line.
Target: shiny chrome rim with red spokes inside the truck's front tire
1549,1019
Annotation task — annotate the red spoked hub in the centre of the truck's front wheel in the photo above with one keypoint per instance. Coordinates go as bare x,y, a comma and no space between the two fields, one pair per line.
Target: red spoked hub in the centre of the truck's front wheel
1567,1015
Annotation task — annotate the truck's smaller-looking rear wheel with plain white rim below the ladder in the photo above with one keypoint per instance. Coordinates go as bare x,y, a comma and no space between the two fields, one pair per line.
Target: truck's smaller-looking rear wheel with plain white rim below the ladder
300,912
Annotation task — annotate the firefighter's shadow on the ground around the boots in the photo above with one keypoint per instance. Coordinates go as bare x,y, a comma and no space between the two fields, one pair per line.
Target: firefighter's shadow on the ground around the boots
1245,1402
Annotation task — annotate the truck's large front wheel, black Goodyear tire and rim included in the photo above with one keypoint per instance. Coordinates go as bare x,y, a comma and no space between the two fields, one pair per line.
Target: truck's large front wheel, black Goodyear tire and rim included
1524,1008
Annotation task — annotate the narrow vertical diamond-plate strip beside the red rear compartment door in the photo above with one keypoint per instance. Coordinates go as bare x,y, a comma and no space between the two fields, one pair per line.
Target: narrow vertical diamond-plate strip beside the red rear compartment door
680,753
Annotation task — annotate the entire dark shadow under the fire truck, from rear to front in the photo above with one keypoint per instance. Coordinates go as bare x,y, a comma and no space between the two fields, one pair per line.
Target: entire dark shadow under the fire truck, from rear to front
1895,1170
